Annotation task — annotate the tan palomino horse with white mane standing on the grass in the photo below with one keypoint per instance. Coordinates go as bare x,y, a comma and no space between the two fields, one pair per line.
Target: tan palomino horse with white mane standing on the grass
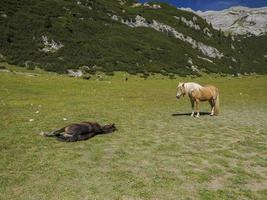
199,93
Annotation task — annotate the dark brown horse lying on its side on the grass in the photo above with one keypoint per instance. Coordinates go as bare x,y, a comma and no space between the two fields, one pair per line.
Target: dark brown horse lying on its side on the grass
80,131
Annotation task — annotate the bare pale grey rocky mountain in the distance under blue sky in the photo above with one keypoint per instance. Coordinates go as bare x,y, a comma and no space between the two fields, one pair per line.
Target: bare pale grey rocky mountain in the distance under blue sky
238,20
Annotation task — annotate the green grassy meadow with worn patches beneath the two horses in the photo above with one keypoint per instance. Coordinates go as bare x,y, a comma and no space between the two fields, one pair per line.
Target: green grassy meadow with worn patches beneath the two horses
153,155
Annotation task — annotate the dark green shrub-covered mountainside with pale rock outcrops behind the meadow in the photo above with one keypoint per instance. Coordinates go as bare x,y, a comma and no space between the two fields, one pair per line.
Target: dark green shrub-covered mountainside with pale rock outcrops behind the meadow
121,35
